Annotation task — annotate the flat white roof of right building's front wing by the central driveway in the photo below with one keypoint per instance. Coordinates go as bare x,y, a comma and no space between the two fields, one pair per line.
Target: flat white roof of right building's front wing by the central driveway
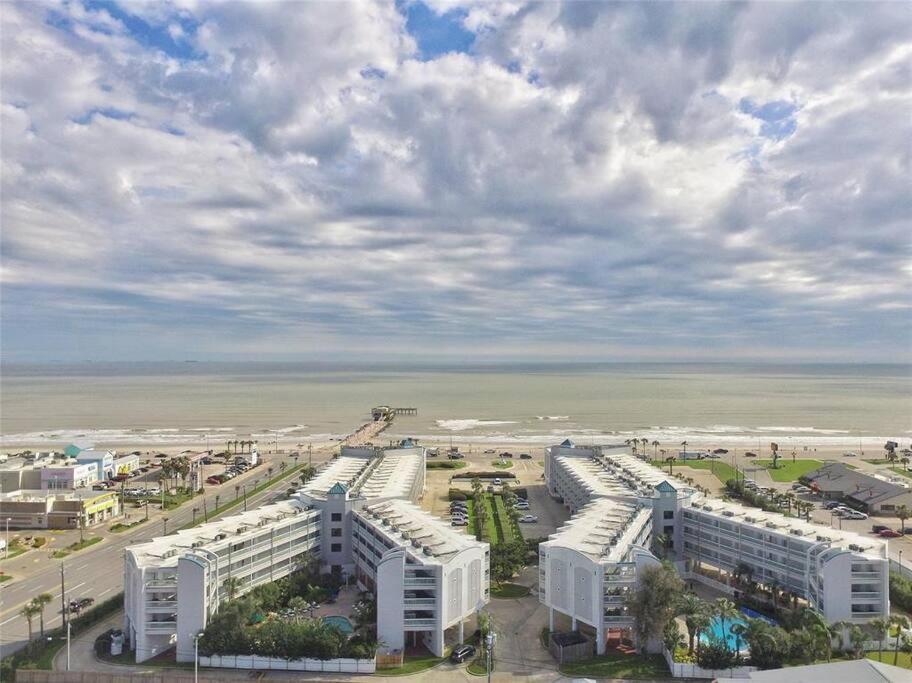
603,530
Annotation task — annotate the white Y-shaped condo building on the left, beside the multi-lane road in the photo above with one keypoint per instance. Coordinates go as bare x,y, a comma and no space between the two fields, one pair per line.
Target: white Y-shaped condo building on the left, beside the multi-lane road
174,584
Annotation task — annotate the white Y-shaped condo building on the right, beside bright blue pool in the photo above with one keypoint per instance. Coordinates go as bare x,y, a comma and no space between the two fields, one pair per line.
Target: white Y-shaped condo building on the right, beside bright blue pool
622,504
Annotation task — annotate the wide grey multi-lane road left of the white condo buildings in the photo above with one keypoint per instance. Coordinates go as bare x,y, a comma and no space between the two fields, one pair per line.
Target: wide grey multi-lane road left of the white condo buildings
97,571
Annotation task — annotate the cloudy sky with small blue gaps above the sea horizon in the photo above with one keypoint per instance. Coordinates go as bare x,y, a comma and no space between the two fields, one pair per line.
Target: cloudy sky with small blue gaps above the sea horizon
456,179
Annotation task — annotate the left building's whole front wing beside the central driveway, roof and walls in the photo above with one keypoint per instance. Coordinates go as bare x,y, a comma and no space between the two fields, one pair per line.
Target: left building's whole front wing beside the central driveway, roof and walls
427,576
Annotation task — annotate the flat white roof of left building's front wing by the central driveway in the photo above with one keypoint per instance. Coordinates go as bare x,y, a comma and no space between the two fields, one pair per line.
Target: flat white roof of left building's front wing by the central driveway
427,538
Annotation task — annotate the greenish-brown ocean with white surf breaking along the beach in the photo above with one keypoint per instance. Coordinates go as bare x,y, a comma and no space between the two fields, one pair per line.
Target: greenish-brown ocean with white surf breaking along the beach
183,403
